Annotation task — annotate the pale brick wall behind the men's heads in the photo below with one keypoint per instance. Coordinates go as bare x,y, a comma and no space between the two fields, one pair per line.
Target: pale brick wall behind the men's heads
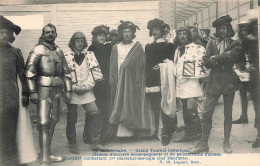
70,18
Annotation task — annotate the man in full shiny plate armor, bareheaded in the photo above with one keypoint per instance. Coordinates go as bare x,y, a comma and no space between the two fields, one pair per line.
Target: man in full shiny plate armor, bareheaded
48,74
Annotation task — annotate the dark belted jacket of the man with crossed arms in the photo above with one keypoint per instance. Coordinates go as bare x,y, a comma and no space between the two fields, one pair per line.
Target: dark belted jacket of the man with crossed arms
222,78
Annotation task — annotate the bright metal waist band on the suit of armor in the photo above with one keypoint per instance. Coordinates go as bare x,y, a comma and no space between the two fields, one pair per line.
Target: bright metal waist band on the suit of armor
50,81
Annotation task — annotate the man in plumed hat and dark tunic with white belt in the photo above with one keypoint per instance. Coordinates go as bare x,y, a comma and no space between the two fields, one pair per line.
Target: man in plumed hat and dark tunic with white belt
156,53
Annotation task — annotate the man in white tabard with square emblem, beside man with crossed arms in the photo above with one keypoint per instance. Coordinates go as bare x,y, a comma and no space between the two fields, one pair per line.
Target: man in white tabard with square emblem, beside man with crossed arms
188,88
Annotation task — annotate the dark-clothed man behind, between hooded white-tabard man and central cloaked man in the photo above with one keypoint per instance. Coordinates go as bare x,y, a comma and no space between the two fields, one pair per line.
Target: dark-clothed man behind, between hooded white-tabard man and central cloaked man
102,51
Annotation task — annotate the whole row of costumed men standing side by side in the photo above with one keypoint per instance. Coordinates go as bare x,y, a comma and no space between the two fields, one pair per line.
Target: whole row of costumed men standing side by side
128,91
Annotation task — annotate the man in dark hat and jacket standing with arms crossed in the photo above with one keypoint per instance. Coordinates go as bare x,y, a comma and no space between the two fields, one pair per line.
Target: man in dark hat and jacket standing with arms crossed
221,54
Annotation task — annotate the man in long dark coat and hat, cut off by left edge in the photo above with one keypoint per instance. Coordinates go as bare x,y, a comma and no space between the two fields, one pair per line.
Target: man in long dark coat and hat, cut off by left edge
11,65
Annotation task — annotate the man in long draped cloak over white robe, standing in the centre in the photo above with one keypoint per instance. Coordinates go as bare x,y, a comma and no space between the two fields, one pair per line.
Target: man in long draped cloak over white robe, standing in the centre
127,84
